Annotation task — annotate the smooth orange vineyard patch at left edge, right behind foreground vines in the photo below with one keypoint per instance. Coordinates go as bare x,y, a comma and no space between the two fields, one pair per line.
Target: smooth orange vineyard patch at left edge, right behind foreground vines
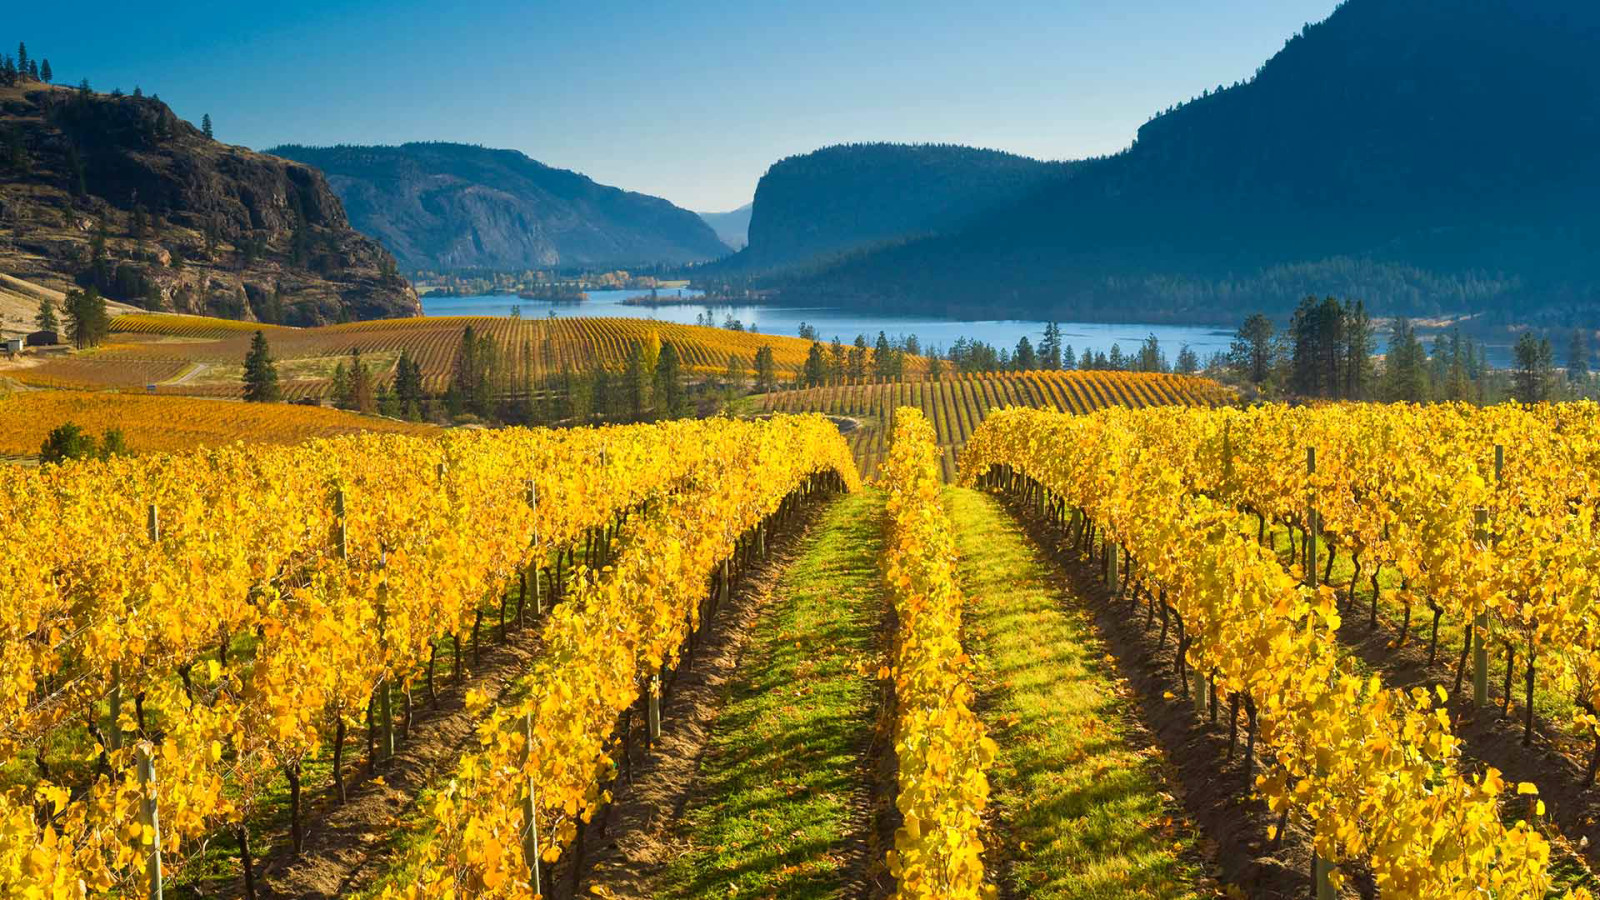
167,425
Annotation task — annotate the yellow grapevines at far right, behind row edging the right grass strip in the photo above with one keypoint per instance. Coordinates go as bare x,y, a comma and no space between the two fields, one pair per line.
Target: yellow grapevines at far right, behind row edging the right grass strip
1487,515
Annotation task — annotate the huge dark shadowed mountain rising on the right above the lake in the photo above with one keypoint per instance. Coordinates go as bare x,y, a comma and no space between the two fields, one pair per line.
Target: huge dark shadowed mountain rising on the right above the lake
1428,156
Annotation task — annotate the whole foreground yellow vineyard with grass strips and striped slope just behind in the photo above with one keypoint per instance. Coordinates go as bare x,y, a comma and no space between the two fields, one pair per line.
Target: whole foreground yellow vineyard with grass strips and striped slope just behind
1154,649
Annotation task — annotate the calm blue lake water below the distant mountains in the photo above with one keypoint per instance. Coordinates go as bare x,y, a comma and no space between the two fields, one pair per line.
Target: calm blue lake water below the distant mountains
846,324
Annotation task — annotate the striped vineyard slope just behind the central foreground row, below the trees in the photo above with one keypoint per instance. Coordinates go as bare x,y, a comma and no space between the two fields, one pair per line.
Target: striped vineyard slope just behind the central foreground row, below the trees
961,403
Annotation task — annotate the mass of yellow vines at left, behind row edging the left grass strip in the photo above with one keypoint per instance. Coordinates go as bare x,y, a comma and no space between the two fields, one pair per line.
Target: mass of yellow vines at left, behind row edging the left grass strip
234,611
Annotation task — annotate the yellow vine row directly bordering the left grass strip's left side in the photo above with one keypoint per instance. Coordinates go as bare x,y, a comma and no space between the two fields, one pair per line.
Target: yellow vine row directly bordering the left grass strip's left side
522,800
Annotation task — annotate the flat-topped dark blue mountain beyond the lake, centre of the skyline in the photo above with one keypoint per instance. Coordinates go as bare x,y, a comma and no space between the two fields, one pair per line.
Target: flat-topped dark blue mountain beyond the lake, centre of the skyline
849,198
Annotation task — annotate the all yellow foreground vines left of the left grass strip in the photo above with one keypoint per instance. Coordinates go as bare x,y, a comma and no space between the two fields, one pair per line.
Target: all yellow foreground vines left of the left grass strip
226,617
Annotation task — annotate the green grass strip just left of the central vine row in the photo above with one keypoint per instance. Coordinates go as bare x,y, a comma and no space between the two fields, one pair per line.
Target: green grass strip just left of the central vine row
775,806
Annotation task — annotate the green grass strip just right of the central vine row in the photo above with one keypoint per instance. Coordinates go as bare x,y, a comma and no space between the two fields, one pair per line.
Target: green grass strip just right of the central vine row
1081,805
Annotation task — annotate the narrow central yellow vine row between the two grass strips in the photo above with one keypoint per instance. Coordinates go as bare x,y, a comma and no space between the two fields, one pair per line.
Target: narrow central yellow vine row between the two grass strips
942,749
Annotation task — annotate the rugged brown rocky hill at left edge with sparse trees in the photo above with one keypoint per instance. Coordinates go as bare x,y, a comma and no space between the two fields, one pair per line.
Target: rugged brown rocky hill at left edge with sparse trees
121,193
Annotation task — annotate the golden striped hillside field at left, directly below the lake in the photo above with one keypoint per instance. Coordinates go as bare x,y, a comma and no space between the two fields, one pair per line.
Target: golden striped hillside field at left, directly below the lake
199,356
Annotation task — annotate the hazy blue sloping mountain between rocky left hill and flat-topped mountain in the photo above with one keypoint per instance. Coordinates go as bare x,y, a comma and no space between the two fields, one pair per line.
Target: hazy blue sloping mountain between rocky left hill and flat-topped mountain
463,207
